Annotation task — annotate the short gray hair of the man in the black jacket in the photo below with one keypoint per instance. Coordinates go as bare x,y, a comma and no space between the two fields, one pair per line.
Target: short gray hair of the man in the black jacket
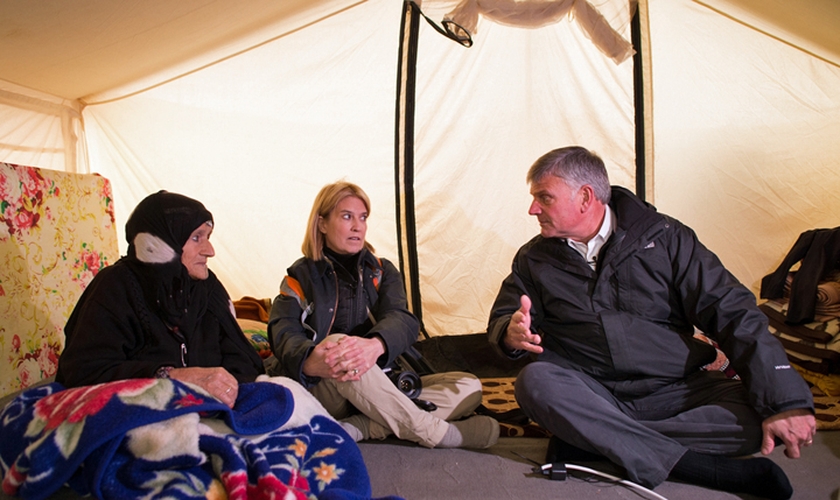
577,166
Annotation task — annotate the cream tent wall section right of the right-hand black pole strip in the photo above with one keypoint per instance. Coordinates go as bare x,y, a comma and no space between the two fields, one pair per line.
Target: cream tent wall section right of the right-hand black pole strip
746,121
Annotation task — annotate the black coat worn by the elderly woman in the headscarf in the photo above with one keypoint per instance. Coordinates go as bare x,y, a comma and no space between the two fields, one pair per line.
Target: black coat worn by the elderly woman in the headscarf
113,334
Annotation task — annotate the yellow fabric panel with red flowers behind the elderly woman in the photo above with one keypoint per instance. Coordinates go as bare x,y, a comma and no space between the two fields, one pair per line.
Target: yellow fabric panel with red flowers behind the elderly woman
56,231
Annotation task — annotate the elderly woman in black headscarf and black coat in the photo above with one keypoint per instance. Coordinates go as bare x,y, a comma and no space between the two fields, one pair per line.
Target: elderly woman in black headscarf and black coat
159,311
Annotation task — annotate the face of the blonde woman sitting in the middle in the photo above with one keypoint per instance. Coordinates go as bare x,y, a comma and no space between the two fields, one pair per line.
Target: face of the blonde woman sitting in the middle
345,227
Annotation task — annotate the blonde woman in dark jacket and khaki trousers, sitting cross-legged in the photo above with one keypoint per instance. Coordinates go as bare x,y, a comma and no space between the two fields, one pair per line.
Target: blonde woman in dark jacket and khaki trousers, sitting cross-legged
341,318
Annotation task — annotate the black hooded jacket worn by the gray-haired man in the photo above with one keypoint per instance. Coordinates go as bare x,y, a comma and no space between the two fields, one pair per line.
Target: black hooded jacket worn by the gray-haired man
630,324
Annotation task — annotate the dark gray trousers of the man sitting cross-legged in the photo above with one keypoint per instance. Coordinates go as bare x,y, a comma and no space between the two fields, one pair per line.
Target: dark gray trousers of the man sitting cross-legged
706,412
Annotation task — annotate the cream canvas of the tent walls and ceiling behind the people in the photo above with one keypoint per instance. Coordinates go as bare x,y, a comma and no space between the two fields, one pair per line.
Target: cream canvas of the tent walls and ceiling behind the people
251,107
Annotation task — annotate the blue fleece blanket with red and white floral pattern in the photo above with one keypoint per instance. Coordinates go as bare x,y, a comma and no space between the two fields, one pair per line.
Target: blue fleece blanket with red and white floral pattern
153,438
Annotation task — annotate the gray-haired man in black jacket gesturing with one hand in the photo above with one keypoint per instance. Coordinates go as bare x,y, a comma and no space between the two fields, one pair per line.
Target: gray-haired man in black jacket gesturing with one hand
608,298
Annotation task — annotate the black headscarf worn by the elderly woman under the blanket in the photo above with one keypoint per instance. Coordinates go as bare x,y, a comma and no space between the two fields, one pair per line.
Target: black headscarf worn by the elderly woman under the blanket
156,231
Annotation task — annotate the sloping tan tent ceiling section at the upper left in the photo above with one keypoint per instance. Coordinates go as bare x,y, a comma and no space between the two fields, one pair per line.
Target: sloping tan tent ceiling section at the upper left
73,49
